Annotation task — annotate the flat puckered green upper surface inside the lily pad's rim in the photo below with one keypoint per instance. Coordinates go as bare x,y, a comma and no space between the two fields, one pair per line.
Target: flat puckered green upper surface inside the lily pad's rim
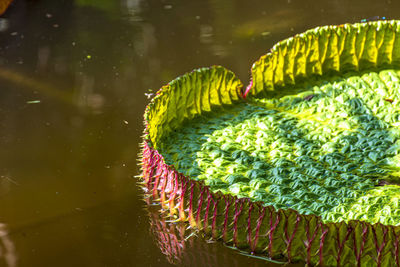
331,149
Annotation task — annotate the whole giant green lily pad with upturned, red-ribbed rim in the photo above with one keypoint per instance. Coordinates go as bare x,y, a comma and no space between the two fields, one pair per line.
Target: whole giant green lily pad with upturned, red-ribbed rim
303,164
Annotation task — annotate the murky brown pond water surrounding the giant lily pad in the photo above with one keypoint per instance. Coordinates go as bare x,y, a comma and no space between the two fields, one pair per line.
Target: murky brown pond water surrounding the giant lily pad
73,78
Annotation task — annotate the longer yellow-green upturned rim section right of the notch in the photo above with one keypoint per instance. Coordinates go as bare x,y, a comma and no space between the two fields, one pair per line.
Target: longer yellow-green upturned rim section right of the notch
326,51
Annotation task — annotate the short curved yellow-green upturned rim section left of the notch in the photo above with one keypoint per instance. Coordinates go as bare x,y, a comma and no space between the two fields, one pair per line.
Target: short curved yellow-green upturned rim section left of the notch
188,96
